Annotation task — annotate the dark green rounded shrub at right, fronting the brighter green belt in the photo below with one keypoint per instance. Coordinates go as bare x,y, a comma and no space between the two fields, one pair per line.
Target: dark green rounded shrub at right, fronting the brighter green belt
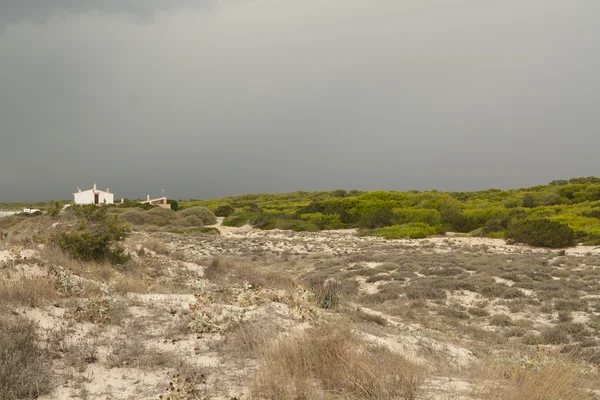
541,232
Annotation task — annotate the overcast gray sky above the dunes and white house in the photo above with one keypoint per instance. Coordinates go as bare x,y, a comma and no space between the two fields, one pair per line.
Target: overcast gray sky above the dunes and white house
208,98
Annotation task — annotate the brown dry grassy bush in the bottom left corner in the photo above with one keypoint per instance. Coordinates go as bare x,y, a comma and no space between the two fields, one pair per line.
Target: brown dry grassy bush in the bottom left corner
24,365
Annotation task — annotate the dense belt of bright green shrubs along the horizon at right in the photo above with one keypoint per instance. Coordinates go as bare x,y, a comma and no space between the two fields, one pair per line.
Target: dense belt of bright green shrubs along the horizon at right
559,214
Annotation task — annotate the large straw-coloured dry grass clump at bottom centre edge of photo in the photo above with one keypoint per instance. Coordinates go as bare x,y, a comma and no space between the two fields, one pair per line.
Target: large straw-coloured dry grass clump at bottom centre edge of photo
331,362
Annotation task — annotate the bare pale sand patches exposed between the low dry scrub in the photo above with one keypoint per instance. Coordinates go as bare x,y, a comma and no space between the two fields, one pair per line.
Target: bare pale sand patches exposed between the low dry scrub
152,318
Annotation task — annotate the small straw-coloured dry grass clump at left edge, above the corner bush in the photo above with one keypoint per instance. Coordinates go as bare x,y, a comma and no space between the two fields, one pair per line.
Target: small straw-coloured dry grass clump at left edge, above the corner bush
29,291
